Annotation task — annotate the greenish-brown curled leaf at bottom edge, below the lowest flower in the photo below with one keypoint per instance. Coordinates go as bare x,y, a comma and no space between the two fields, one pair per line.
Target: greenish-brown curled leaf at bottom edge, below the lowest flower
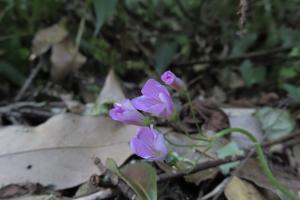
141,178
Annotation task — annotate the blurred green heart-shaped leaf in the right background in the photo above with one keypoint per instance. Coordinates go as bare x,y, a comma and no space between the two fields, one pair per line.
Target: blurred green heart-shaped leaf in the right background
251,74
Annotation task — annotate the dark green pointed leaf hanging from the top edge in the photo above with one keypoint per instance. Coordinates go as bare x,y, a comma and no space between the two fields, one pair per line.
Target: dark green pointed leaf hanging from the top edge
104,9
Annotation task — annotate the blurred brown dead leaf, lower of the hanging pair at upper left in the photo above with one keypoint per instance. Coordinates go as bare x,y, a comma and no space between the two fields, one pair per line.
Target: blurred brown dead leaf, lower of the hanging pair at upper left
65,60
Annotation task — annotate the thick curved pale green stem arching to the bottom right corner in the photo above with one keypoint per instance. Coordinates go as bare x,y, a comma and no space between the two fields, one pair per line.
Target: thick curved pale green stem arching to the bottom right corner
261,158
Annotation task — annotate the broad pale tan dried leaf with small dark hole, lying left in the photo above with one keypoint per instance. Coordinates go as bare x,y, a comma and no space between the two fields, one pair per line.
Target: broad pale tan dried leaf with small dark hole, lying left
61,151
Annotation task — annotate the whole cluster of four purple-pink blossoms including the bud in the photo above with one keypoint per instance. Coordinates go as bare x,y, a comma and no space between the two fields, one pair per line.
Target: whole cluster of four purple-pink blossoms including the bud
156,100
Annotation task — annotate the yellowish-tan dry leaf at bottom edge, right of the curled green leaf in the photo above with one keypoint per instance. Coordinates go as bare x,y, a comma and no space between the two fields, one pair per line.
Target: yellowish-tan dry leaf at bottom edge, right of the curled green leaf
238,189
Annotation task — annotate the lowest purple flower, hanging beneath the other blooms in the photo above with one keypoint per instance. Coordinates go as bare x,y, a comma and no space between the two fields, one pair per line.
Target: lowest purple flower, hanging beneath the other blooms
149,144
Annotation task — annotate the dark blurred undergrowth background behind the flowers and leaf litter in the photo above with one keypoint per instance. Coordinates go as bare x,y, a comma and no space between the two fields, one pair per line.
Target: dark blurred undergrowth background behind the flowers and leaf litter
237,52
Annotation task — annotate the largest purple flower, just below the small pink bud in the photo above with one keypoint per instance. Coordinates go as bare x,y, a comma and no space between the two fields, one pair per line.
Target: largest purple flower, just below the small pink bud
156,99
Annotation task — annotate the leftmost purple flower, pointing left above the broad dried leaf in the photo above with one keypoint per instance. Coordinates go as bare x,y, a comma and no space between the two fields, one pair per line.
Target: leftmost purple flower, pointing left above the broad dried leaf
126,113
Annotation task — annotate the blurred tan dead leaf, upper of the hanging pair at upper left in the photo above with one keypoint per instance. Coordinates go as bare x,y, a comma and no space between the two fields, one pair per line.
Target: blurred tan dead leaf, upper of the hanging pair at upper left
47,37
